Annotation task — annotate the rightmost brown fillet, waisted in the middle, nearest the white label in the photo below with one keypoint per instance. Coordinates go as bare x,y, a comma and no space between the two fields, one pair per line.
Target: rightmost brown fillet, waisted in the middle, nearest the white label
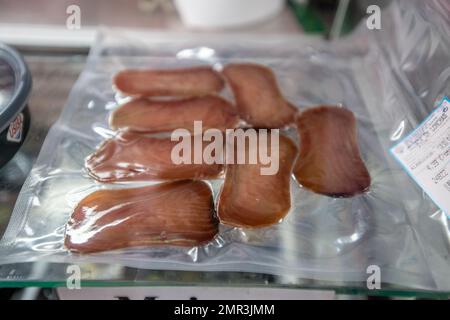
329,162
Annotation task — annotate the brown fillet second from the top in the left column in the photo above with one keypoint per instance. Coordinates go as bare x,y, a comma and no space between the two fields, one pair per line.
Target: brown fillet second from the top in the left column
145,115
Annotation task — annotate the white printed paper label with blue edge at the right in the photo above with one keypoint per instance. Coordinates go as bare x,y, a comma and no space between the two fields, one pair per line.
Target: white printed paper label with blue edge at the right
425,155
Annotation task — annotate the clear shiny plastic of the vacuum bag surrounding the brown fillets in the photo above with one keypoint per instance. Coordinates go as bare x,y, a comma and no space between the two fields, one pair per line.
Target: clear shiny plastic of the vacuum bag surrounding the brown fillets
394,226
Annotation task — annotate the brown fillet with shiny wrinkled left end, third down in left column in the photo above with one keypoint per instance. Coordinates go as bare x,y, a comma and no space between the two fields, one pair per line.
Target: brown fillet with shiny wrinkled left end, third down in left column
134,157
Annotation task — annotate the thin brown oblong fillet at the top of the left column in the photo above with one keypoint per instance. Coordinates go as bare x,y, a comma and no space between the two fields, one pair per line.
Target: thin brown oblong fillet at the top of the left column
187,82
